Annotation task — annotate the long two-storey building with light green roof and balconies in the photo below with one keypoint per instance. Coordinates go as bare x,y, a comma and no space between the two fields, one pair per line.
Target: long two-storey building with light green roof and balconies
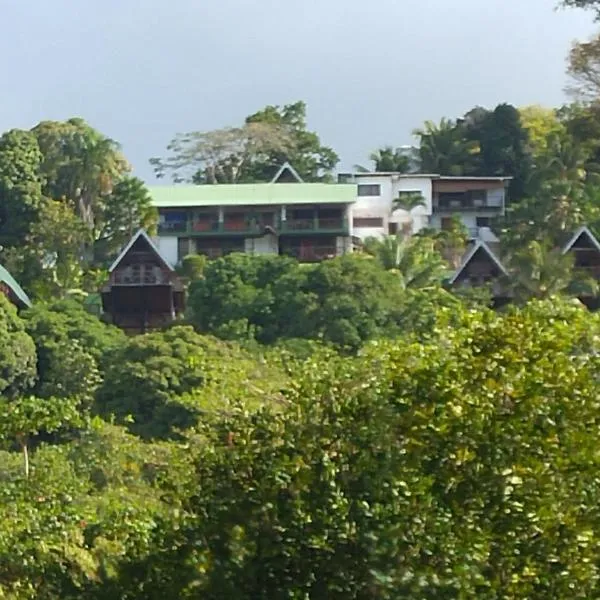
309,221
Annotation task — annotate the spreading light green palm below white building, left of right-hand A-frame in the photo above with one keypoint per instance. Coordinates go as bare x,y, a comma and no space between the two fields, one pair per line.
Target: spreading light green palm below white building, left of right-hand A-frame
415,260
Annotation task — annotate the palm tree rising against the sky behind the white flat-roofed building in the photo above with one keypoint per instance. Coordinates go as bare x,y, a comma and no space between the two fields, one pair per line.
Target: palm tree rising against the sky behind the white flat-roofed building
444,148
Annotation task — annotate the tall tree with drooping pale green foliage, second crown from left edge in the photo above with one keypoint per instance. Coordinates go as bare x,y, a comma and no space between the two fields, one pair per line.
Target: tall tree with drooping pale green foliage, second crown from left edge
80,166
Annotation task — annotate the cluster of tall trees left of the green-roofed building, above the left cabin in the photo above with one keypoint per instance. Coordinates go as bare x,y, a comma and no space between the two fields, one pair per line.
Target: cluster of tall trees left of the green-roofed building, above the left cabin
67,205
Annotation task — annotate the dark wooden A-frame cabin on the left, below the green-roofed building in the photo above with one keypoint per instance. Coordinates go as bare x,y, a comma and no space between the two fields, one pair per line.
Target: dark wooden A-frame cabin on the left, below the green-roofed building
143,292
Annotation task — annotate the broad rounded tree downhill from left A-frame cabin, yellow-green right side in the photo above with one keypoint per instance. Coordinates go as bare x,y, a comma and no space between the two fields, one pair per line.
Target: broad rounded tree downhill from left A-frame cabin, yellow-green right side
161,383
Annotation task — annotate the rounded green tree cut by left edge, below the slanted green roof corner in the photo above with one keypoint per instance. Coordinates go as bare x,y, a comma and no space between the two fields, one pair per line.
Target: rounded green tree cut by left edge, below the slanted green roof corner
17,353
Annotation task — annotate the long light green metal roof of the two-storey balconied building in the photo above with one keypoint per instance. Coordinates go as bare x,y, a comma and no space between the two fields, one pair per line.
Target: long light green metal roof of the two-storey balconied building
248,194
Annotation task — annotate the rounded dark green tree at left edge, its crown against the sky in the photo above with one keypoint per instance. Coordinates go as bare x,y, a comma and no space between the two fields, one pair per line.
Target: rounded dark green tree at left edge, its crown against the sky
20,186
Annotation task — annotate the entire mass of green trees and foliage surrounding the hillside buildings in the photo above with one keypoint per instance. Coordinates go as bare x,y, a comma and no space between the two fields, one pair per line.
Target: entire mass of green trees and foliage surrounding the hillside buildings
352,429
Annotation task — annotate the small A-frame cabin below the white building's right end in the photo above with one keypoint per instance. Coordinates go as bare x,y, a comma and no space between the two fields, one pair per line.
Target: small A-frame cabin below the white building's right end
480,266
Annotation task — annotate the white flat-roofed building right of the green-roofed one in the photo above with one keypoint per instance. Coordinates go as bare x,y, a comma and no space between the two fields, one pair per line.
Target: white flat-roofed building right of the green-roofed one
387,202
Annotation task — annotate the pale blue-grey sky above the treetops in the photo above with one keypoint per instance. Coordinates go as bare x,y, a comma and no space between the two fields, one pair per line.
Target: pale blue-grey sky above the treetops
370,72
